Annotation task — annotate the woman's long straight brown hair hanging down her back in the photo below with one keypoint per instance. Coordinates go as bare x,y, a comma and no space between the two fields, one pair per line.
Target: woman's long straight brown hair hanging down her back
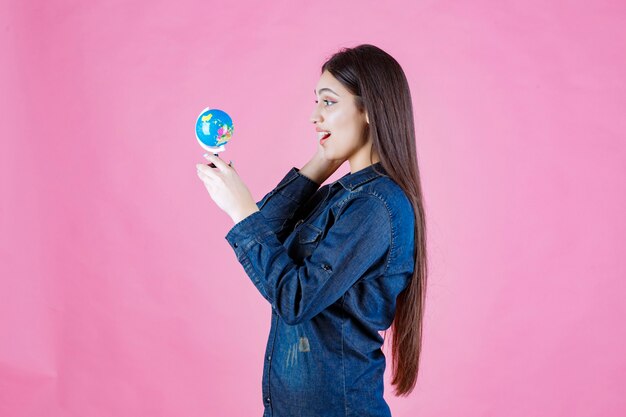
381,89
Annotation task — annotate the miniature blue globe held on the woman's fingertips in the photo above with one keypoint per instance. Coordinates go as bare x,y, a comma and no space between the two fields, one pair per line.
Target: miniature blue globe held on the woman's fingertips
214,128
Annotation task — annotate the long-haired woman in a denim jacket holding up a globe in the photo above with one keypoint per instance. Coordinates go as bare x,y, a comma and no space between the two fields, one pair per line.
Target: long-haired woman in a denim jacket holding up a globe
342,262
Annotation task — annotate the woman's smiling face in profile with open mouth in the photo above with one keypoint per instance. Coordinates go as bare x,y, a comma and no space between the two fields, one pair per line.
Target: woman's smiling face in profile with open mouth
336,112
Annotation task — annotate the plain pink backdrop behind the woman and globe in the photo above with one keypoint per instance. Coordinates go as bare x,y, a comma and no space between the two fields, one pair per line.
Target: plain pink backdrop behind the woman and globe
119,295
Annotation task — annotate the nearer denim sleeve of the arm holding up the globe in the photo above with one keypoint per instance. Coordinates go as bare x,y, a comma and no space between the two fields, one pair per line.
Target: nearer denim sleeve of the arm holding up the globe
355,245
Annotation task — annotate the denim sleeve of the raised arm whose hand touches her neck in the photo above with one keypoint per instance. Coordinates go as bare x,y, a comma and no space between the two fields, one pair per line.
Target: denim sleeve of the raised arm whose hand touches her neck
279,205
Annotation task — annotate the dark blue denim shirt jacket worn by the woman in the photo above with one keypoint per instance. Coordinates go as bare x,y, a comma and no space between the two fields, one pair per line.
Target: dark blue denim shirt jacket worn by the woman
331,262
